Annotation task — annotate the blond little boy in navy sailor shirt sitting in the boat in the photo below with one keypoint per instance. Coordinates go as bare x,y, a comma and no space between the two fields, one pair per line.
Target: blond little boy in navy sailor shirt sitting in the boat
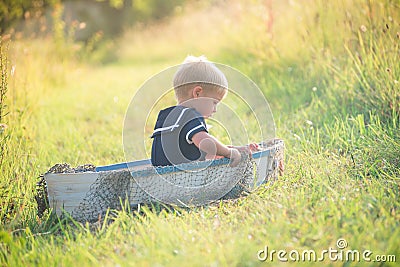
180,134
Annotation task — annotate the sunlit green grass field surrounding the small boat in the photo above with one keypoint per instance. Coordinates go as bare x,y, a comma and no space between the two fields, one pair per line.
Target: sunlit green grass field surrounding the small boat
330,71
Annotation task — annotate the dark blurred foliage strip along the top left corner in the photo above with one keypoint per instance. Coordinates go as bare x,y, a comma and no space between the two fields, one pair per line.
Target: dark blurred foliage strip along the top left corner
86,18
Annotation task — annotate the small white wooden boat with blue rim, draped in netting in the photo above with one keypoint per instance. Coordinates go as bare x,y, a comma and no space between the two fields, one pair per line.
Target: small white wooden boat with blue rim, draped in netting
87,193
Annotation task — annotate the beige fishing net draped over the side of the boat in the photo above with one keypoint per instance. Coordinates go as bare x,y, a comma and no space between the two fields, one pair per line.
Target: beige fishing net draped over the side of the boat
185,185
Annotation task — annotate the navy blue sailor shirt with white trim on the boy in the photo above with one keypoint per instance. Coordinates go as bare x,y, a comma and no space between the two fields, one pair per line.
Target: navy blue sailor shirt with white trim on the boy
172,136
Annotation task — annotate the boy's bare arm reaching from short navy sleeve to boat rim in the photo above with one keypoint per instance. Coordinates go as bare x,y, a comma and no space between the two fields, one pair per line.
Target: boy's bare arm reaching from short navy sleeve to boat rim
212,147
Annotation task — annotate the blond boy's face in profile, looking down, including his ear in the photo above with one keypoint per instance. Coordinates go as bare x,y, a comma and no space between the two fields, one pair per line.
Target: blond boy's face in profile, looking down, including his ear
205,102
